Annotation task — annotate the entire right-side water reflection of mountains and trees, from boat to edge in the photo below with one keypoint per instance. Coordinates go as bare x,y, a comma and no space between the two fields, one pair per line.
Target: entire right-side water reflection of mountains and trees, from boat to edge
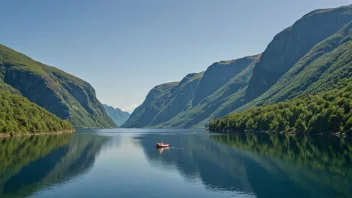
265,165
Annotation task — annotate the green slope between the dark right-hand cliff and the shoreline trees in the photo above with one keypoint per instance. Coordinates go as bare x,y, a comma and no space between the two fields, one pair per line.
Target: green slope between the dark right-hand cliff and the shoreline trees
319,70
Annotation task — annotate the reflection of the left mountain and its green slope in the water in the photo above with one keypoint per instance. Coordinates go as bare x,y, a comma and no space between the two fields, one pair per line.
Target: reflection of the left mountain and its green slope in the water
69,158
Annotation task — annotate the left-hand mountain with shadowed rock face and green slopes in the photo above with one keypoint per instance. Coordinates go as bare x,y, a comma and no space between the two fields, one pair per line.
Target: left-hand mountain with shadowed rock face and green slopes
59,93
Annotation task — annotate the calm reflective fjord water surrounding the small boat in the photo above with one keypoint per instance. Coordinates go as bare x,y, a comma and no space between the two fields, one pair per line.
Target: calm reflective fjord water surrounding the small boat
125,163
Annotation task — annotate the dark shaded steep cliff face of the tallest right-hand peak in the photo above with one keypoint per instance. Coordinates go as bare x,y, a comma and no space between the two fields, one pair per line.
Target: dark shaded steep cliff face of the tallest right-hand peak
290,45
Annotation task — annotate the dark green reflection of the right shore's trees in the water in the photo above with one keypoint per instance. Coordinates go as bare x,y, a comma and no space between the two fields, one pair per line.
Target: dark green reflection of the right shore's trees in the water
323,153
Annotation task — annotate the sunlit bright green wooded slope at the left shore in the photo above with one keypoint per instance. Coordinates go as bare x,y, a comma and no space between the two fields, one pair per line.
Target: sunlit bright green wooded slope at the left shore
18,115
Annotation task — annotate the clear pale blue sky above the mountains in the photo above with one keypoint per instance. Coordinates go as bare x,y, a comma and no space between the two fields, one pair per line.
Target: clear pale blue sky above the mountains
124,48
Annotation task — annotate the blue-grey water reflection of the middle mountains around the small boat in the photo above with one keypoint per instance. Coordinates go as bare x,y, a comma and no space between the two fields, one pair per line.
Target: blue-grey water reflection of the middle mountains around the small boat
197,157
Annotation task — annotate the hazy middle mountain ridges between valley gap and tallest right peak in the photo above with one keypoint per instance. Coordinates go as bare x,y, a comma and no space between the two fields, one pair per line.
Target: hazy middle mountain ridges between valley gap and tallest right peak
186,104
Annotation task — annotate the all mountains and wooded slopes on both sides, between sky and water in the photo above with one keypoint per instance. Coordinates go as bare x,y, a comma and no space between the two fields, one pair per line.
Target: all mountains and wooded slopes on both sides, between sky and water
301,80
